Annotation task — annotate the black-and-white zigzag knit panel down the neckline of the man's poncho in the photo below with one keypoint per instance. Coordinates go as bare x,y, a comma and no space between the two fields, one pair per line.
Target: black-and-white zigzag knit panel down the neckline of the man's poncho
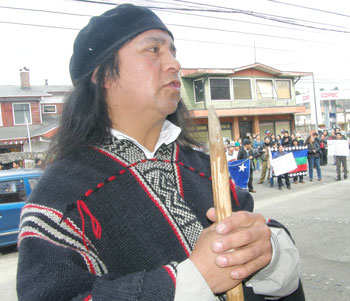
163,180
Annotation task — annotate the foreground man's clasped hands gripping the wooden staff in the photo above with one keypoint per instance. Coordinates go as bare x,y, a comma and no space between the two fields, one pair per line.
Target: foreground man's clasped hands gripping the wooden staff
229,252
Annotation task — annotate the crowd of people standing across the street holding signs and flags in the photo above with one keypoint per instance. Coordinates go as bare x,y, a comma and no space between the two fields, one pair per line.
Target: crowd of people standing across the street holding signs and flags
260,151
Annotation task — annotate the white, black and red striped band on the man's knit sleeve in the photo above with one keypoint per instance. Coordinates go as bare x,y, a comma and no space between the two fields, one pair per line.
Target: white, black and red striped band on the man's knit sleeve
42,222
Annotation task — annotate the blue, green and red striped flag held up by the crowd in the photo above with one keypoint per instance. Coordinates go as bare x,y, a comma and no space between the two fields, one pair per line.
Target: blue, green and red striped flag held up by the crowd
299,154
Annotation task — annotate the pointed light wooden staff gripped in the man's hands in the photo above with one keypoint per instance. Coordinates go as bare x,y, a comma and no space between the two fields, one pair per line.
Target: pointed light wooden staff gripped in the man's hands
220,183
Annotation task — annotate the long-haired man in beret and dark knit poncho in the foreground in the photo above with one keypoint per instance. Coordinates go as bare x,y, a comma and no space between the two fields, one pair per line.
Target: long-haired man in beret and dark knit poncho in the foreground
124,211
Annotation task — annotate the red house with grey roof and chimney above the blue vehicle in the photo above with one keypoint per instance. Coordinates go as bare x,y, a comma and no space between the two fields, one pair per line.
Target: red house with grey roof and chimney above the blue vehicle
29,111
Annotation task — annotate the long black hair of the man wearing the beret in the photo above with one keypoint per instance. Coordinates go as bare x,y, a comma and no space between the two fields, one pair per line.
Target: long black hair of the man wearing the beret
85,121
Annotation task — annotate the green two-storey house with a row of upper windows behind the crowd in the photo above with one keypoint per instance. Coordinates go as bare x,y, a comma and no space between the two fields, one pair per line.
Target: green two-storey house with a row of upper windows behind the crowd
248,99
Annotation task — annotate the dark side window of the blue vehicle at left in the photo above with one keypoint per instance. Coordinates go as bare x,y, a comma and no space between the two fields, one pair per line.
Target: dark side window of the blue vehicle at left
12,191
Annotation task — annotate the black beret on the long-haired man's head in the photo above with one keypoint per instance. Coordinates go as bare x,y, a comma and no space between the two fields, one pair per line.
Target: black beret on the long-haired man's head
109,31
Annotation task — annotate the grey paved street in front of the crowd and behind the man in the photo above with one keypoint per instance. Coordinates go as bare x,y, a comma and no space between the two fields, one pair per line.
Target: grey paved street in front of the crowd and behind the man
316,213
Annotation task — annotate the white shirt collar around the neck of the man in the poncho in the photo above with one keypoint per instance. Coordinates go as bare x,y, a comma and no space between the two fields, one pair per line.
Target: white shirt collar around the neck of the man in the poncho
168,134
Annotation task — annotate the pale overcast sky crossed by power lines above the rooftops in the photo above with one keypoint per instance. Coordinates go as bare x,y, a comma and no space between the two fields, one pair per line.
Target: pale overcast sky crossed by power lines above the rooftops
46,51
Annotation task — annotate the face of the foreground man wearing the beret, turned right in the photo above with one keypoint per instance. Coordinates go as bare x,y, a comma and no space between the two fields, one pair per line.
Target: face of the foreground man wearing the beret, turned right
148,84
